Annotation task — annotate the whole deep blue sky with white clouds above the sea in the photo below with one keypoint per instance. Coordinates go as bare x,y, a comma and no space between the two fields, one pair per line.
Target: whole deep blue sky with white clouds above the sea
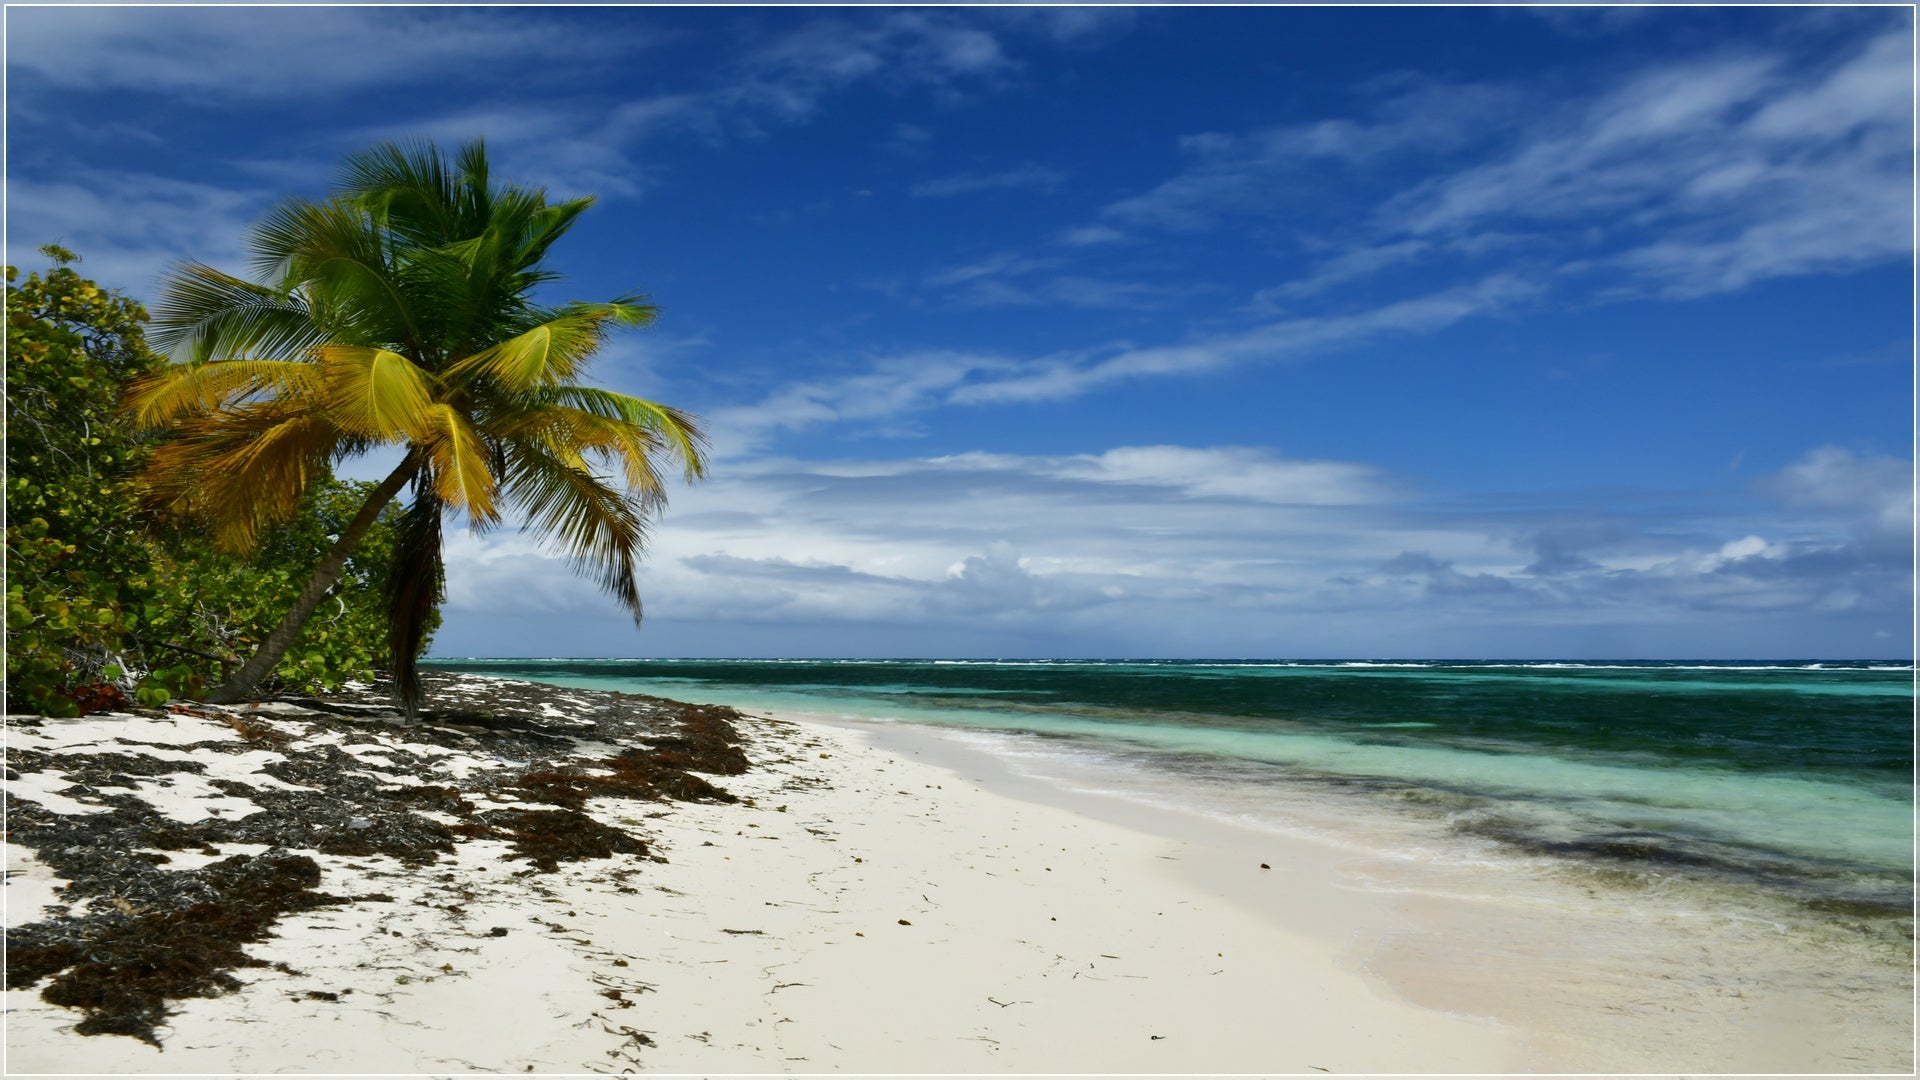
1134,331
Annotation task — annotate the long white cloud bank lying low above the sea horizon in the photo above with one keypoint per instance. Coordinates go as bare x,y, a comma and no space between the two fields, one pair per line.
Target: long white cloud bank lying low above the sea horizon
1166,549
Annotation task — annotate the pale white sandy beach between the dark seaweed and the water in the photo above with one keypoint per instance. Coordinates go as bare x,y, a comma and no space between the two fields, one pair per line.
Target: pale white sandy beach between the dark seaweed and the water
875,902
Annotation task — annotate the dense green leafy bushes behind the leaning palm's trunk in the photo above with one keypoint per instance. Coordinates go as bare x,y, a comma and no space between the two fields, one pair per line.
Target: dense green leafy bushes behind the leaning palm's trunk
107,602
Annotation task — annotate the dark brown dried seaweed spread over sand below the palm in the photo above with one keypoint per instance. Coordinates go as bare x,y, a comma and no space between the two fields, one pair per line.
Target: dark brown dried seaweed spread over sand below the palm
135,935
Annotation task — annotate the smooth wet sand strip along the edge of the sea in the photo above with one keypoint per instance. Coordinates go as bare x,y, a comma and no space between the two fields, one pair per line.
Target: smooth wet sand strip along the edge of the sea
1579,979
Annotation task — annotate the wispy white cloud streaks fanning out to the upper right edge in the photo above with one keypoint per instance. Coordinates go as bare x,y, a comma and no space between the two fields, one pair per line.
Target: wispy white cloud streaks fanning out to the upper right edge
1681,178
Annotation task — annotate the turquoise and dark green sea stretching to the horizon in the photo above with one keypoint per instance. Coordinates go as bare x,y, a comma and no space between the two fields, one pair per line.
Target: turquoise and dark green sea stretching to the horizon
1787,777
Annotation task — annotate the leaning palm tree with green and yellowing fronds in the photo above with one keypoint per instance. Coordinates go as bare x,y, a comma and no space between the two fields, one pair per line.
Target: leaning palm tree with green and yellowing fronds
400,312
